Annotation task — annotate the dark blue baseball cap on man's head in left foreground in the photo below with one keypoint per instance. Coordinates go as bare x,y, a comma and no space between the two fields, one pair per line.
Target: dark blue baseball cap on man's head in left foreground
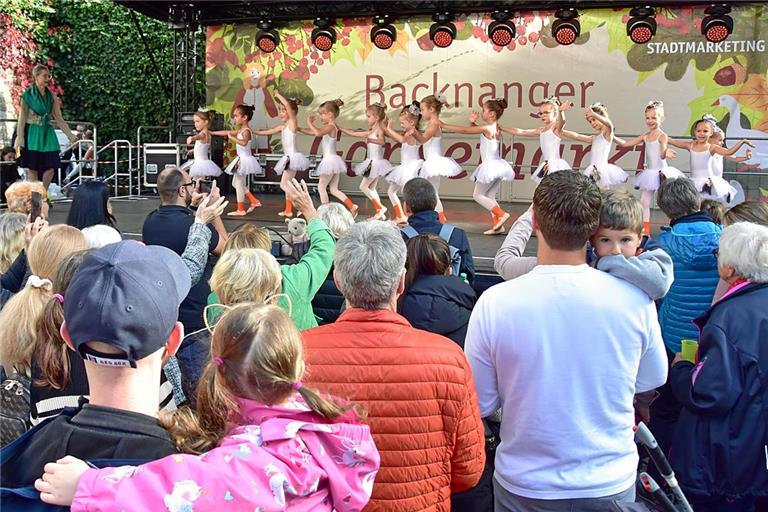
126,295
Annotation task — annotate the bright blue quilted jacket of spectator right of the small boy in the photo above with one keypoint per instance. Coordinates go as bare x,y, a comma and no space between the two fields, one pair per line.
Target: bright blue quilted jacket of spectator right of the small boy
691,241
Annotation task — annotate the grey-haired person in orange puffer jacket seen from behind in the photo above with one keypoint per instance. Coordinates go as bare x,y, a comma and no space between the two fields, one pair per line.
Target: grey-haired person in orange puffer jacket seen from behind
416,386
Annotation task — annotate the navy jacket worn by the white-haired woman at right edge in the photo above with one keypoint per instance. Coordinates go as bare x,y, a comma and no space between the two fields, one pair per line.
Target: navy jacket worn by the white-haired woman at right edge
721,437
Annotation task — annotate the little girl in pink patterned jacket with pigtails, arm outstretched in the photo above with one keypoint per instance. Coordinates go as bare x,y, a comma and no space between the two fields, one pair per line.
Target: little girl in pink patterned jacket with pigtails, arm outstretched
274,444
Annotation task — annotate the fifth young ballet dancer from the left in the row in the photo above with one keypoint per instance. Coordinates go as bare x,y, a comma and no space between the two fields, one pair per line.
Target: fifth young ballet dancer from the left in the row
375,165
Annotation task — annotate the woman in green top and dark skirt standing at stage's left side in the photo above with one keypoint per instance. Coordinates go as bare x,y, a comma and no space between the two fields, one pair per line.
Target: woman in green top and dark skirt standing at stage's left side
36,140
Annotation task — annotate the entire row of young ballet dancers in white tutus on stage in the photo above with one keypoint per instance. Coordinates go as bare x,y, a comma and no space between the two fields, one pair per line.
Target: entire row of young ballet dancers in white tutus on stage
706,153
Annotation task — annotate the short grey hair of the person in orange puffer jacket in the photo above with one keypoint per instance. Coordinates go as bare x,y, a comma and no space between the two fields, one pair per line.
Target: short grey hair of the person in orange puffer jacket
369,264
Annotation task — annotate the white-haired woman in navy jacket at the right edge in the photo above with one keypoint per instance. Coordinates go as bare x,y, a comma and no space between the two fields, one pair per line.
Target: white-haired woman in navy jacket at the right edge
719,451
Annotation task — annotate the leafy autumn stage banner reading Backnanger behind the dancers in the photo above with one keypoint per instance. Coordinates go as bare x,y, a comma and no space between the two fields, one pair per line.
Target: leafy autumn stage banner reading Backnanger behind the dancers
691,76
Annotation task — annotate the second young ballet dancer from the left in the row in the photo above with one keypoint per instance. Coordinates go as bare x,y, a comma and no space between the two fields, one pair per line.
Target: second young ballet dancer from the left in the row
245,163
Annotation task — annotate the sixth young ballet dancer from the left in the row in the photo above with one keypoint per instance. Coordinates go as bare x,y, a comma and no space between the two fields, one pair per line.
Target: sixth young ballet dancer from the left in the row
410,163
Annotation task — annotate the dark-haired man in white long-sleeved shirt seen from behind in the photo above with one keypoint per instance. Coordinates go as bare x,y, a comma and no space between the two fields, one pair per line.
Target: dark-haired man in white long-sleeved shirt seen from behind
562,350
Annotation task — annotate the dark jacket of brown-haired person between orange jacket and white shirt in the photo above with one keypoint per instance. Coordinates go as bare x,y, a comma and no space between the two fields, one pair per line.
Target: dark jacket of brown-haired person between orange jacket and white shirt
439,304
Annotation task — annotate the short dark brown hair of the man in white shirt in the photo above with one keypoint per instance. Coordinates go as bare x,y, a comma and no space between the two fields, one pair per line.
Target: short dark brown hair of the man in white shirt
566,207
